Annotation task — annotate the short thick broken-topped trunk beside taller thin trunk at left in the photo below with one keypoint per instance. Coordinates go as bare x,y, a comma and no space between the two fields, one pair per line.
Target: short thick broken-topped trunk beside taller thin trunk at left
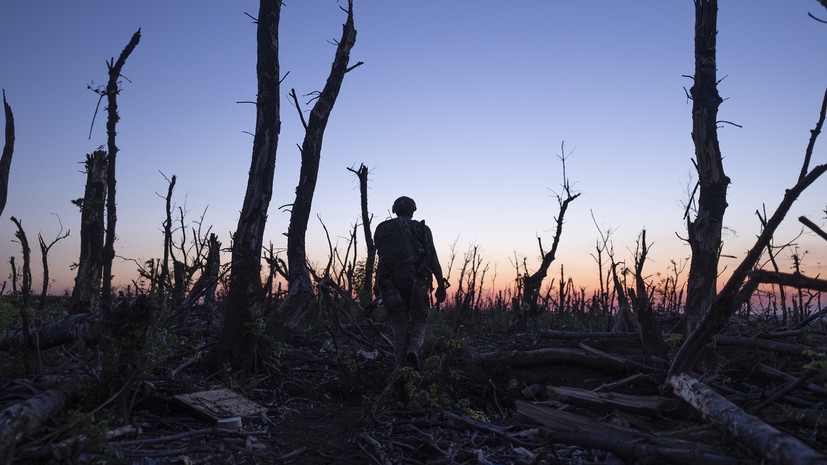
90,262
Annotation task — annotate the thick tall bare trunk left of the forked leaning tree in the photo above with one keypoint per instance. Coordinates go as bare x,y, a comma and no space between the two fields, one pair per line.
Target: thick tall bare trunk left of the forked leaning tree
245,291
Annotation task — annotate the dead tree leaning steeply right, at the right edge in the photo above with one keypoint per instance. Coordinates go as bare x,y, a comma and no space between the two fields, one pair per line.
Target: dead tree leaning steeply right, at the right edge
735,291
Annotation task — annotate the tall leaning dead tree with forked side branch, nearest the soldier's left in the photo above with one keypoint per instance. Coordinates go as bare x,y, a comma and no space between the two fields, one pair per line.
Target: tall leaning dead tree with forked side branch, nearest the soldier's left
300,287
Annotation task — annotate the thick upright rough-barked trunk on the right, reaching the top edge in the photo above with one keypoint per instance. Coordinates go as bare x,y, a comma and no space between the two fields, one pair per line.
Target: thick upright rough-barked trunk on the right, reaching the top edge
705,230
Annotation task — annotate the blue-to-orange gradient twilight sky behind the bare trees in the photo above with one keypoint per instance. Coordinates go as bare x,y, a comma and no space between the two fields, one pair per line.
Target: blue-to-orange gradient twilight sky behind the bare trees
462,105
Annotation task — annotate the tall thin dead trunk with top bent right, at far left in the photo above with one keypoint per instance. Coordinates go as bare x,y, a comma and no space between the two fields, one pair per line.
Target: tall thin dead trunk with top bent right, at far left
112,121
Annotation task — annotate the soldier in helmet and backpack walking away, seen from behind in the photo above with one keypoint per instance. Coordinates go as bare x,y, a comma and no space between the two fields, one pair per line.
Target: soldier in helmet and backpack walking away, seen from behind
407,263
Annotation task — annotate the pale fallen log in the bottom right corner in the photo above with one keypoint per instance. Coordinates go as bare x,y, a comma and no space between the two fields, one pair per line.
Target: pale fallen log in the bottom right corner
763,439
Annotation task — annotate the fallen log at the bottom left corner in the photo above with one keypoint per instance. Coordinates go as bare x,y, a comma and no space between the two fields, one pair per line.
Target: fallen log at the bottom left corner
24,417
